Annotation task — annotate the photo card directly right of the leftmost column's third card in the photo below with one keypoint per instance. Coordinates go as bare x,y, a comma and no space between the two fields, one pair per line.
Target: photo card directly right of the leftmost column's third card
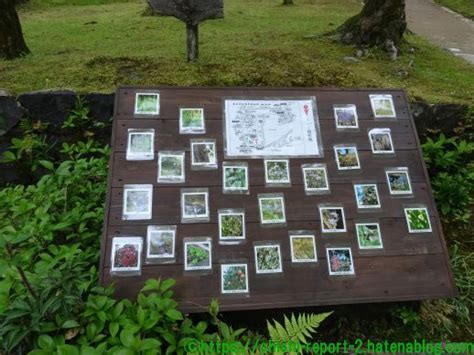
194,205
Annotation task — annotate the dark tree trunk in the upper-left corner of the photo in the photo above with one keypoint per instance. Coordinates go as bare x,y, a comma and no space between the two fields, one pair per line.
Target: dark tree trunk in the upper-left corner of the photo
12,44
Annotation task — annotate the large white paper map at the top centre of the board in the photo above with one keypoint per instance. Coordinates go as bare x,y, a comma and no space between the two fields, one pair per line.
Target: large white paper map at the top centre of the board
259,128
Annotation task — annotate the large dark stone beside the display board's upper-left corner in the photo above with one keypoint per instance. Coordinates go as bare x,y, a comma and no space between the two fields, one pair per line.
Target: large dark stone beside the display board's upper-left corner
52,106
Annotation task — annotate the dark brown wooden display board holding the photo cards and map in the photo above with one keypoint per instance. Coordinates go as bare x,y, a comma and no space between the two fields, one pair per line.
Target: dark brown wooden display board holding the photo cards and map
410,266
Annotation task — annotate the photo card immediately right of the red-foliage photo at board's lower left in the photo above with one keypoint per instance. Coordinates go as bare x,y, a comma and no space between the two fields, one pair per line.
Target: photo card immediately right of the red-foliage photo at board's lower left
161,242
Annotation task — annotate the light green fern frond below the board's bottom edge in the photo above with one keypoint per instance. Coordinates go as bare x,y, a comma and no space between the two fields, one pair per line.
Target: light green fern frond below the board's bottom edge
296,329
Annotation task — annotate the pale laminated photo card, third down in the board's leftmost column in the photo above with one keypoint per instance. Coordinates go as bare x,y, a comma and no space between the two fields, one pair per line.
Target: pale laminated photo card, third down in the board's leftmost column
137,202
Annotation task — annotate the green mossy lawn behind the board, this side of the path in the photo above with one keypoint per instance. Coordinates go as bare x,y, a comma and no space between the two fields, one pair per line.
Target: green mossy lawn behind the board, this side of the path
259,43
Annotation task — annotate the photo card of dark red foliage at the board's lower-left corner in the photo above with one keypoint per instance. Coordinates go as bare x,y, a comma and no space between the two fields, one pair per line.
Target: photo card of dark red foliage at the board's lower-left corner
126,254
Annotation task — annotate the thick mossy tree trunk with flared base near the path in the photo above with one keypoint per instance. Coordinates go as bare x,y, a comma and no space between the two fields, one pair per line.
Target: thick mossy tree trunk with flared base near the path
381,22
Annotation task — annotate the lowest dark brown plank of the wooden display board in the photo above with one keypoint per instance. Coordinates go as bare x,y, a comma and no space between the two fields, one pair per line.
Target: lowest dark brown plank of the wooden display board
410,277
